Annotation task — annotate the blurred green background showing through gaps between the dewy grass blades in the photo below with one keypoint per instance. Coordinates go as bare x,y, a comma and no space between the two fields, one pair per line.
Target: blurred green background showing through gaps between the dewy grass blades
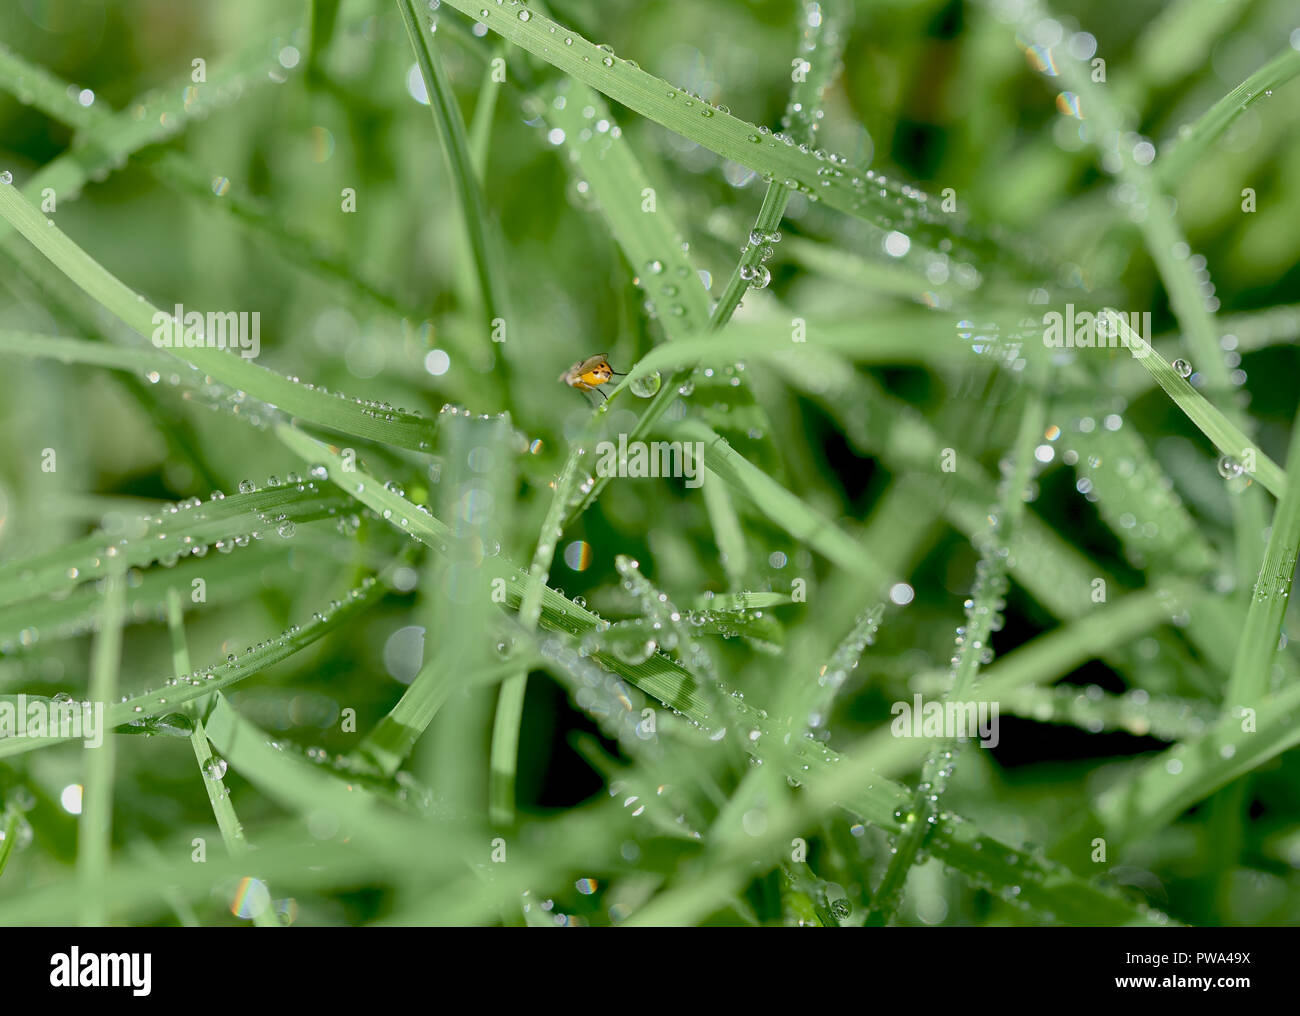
380,303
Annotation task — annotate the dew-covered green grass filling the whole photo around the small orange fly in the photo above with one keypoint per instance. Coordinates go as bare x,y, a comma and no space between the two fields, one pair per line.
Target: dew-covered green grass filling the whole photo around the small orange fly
437,642
